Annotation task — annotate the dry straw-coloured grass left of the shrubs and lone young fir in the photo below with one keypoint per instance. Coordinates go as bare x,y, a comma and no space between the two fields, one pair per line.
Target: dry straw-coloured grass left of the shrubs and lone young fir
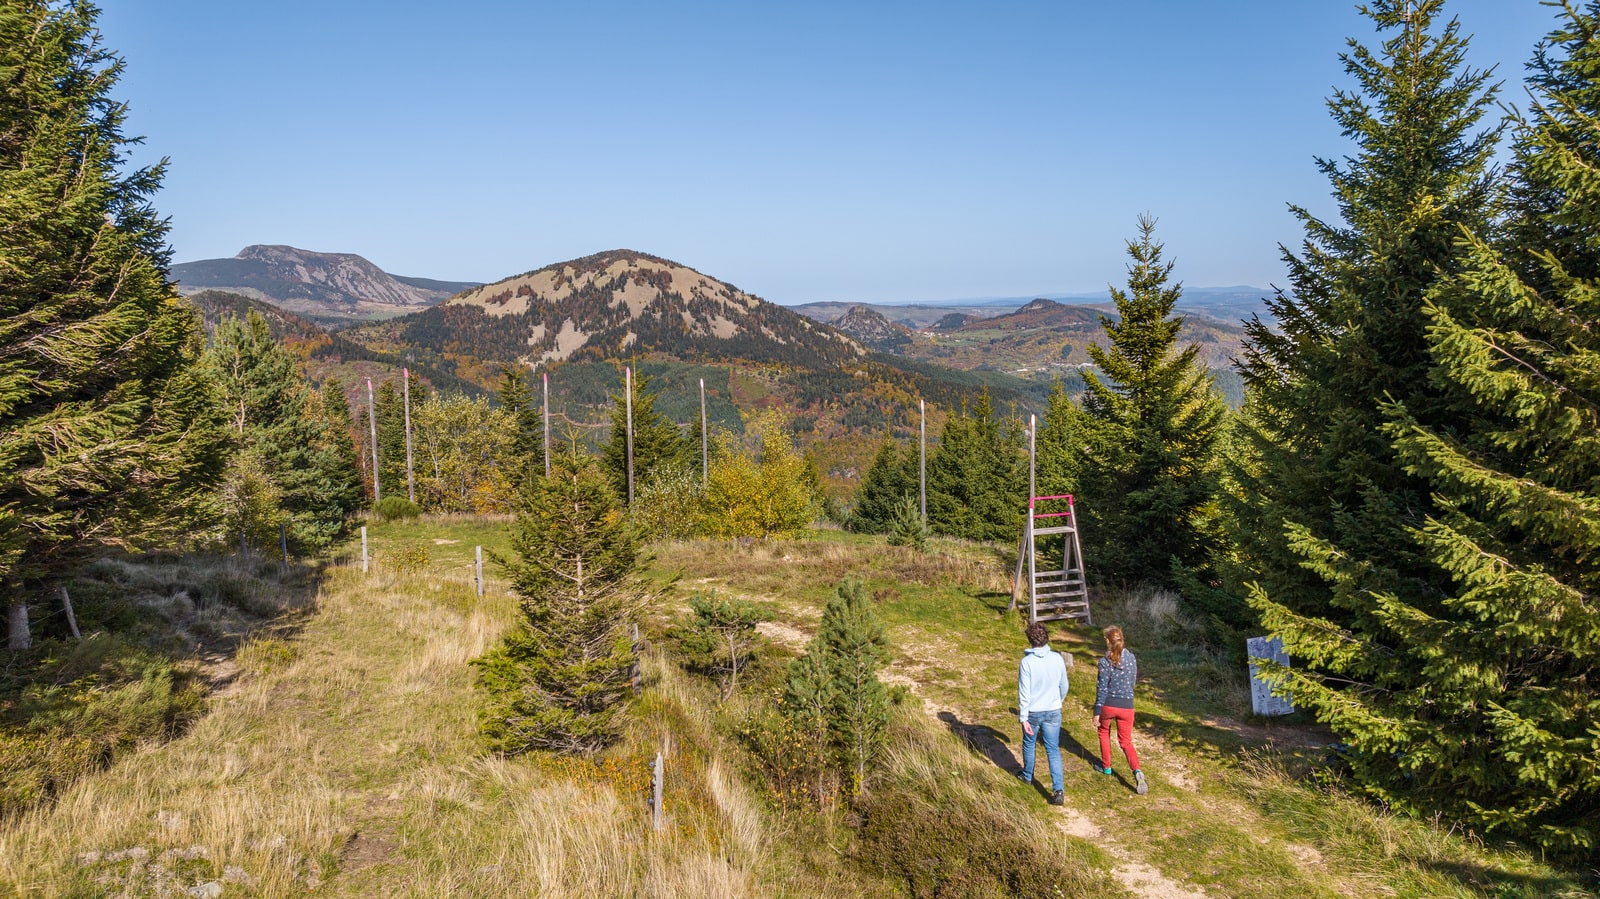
346,764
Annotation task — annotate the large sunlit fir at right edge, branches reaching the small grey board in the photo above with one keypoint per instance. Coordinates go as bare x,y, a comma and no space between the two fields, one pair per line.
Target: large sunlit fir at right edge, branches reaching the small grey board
1481,701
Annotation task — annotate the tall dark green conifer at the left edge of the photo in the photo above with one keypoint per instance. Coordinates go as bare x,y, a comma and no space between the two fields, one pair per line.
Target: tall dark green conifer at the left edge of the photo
108,434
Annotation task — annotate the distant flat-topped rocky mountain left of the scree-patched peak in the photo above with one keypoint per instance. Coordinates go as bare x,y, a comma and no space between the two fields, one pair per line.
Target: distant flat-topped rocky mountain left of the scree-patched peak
332,289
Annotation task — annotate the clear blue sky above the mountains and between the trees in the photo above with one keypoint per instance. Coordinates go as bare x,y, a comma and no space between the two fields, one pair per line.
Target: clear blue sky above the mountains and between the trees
802,151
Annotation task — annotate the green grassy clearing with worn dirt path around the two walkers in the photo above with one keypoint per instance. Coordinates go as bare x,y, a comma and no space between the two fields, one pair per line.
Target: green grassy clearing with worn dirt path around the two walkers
1225,817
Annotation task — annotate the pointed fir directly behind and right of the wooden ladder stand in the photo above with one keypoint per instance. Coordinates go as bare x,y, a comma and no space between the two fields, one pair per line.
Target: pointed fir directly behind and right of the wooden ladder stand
1154,418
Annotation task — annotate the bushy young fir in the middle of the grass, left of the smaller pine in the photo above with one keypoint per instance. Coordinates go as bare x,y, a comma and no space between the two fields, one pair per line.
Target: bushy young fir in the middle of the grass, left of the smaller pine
564,676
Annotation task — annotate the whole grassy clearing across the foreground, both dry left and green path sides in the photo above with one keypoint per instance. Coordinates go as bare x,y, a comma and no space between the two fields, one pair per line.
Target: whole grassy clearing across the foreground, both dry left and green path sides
343,761
